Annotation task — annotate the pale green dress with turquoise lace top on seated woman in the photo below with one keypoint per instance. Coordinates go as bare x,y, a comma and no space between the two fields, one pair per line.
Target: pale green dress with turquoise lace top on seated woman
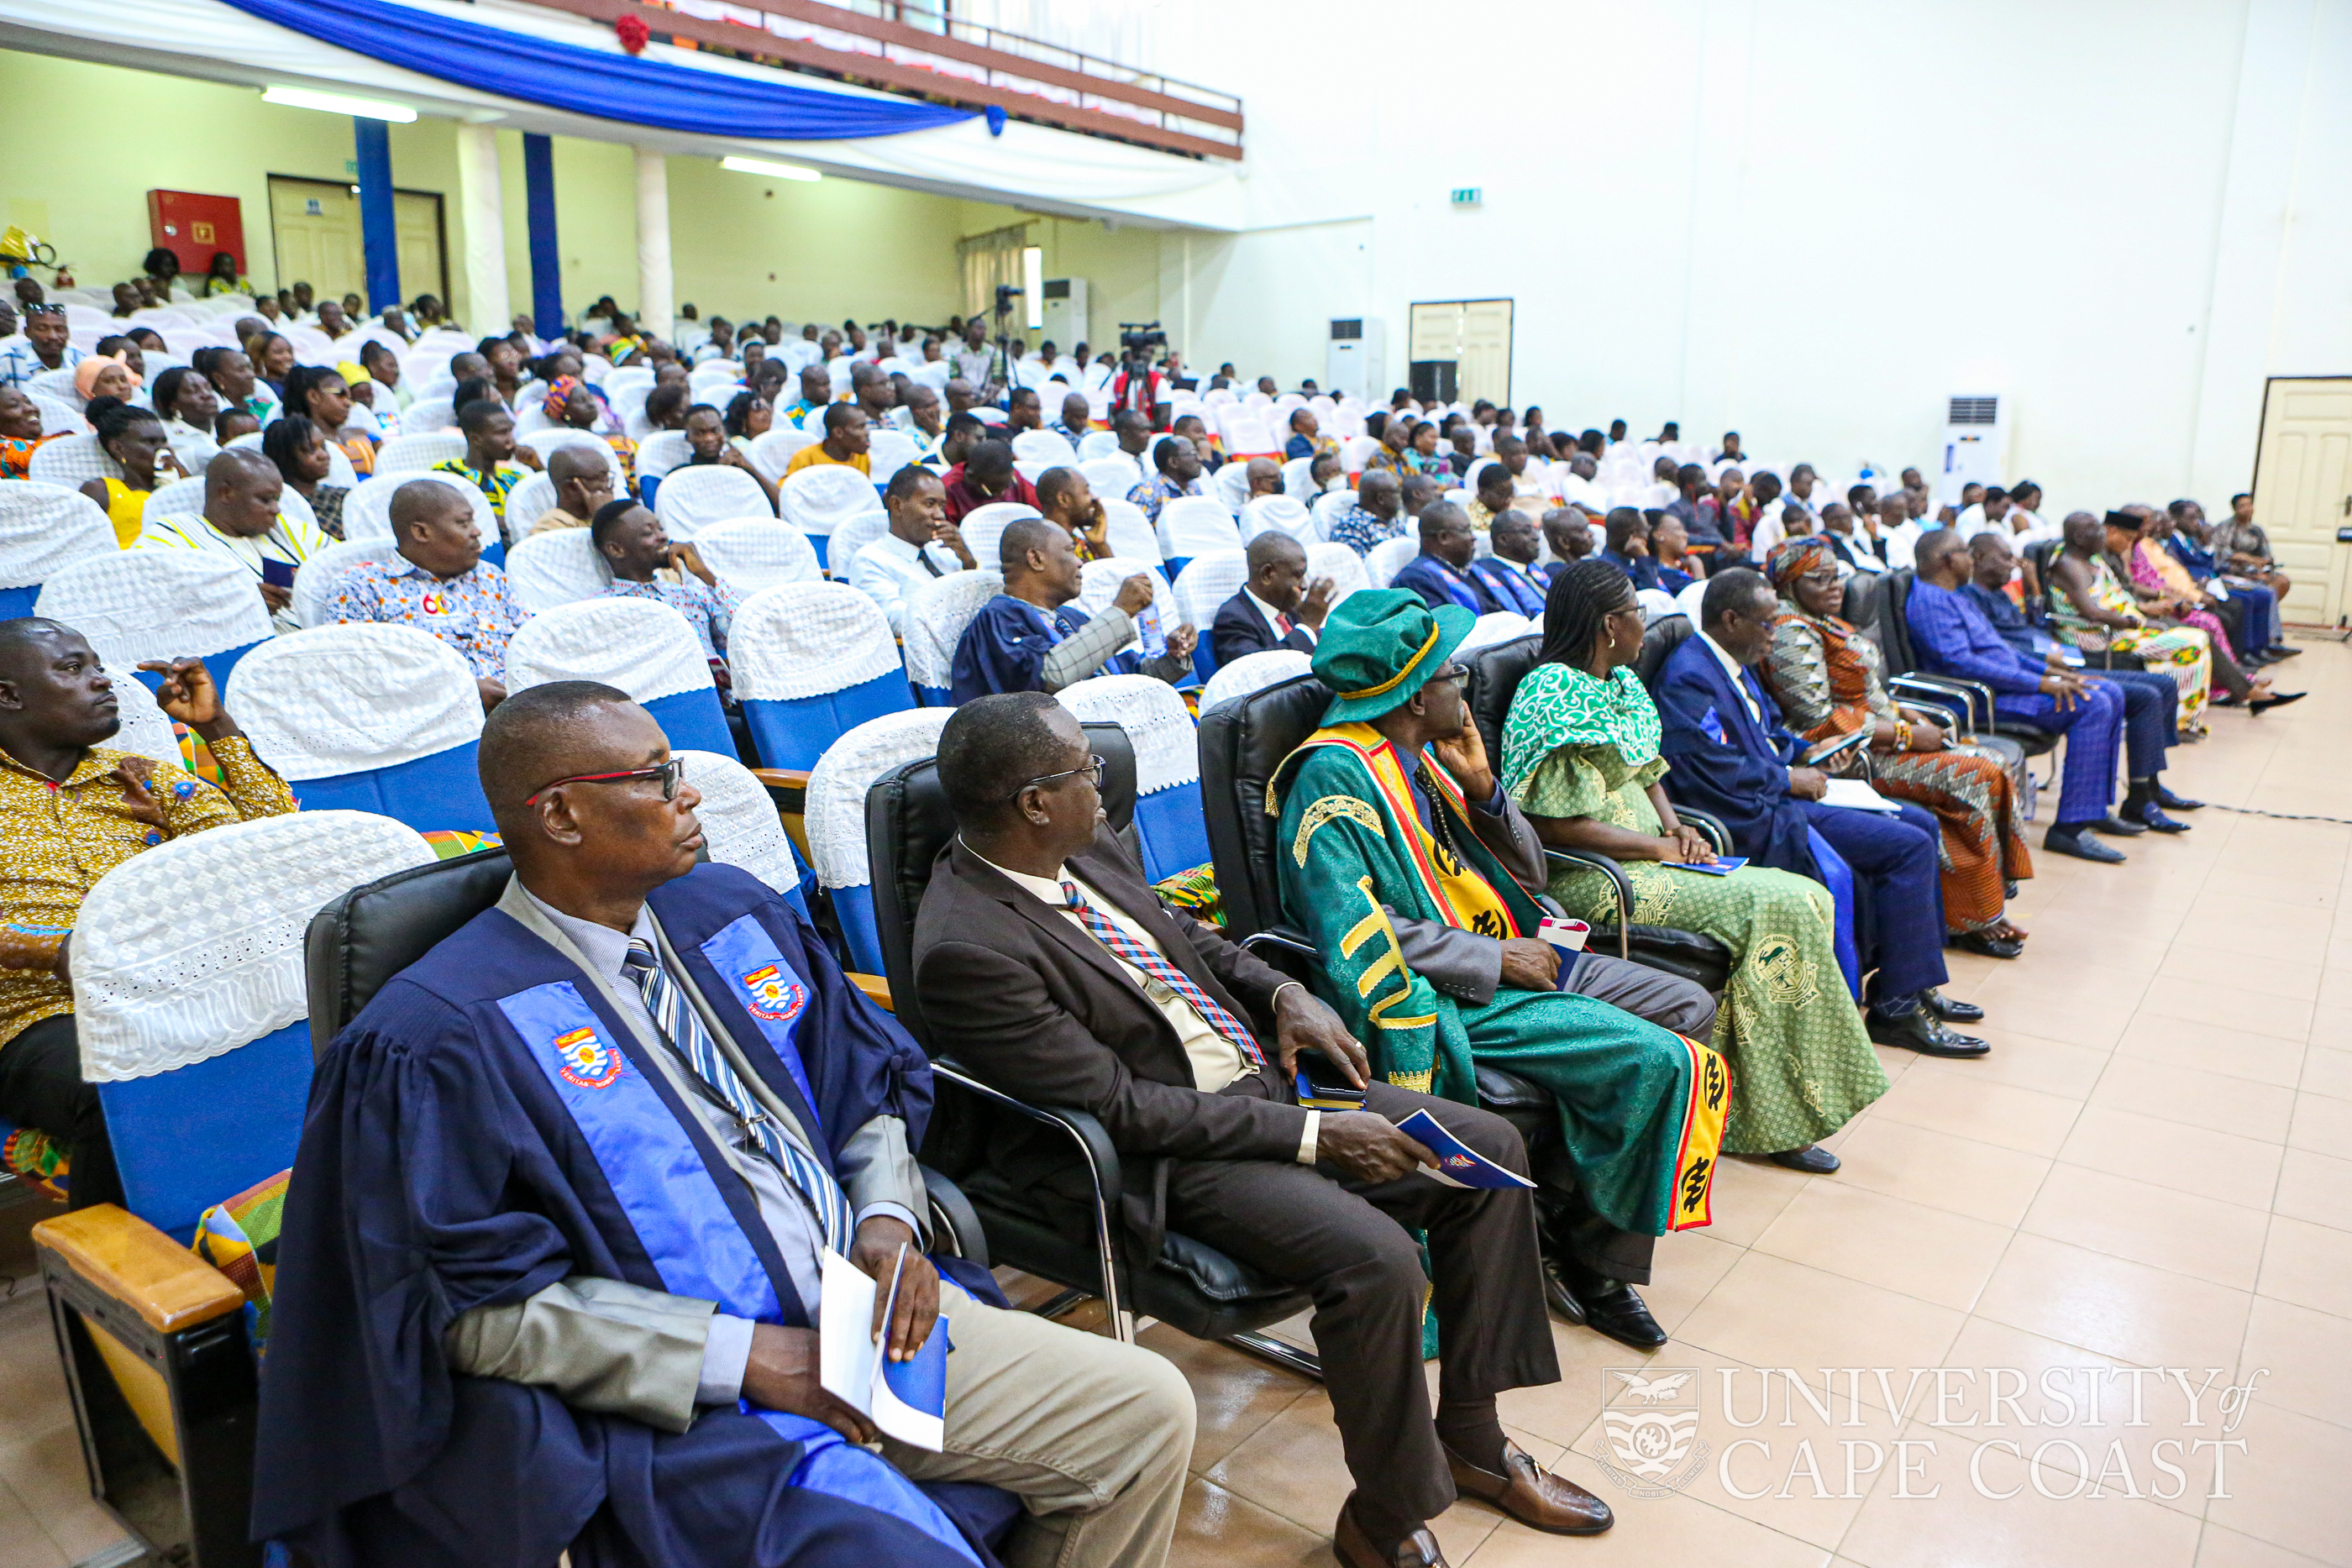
1800,1057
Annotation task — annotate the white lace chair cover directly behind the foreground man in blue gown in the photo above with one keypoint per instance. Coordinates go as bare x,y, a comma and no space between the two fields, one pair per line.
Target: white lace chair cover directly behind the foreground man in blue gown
196,946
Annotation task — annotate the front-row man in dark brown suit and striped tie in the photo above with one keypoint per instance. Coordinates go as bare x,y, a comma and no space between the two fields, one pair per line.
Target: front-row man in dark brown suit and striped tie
1053,970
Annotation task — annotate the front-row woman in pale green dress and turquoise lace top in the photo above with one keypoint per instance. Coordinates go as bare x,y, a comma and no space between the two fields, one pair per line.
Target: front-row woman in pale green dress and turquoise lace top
1582,758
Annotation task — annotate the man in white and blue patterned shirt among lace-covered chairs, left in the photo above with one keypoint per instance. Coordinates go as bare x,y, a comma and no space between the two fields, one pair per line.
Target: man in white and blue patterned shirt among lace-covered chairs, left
439,584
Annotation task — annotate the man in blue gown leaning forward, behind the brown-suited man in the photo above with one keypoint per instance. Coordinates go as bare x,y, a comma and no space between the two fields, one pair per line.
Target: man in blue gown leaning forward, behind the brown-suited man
1036,638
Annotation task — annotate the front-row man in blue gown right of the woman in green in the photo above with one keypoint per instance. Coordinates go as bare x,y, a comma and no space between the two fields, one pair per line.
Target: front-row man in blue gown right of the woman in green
1735,758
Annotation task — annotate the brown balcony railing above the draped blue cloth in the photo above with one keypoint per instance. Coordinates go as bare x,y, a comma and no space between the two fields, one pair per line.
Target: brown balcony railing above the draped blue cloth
933,55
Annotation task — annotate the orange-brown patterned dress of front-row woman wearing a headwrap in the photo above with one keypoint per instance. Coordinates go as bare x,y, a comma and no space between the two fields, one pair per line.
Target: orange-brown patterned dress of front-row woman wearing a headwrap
1829,683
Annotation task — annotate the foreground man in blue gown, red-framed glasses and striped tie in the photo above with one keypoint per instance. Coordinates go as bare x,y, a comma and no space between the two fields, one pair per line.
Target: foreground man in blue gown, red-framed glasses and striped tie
587,1320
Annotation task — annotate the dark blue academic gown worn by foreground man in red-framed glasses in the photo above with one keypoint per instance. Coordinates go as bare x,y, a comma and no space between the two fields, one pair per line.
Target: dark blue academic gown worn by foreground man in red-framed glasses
490,1127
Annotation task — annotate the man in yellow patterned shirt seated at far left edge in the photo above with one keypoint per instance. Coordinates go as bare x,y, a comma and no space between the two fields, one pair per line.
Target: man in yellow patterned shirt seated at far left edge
72,810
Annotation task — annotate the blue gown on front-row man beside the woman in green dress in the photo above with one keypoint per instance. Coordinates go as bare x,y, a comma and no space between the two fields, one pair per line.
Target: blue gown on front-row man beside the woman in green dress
1732,765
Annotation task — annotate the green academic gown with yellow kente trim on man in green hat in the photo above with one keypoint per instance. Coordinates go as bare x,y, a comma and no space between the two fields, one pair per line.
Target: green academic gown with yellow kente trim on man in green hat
1641,1108
